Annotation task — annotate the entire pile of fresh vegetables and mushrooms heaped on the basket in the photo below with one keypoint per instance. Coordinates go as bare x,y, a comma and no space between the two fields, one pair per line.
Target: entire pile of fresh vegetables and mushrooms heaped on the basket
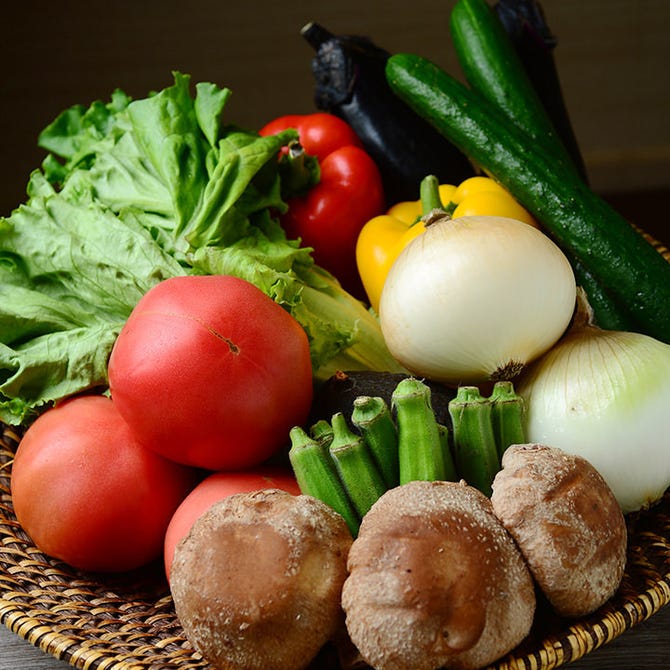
385,369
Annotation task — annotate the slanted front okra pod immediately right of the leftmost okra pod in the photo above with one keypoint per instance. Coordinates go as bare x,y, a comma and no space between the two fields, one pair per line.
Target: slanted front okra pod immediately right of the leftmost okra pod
353,460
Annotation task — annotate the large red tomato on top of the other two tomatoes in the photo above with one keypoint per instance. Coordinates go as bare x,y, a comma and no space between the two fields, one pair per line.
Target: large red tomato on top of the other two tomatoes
211,372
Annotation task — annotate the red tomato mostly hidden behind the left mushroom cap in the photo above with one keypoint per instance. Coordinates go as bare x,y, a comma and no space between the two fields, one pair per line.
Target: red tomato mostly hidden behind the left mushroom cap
216,487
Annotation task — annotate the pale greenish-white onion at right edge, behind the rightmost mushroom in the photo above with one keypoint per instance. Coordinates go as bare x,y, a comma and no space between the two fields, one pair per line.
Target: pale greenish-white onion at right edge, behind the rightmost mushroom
605,396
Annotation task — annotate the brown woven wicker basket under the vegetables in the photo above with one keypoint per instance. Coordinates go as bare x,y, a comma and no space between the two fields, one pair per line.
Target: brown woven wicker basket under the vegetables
127,622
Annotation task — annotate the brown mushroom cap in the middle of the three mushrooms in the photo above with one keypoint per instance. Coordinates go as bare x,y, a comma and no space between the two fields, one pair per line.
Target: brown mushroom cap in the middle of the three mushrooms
434,580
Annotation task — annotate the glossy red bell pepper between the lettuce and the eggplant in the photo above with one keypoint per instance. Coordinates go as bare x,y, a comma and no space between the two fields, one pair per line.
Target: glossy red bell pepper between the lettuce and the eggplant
349,192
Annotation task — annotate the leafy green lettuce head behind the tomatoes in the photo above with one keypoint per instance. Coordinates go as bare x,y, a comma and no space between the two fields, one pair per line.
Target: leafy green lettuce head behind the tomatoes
134,192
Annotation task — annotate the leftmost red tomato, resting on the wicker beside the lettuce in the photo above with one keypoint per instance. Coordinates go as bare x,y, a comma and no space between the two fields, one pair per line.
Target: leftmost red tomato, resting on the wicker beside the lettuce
88,493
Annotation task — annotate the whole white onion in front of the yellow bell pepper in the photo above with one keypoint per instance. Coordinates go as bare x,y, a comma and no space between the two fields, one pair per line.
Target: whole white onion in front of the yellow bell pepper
472,295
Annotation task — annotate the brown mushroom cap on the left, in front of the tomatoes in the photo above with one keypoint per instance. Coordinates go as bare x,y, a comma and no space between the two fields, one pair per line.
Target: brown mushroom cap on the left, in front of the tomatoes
257,581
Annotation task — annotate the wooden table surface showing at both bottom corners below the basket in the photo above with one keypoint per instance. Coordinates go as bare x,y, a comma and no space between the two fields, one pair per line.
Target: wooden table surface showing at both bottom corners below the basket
645,647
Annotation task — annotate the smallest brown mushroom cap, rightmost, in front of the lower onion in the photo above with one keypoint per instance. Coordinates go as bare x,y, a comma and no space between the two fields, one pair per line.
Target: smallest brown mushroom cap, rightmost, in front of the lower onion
567,522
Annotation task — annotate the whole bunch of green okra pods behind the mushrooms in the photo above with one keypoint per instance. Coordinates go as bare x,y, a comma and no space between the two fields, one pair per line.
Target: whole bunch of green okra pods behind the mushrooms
337,463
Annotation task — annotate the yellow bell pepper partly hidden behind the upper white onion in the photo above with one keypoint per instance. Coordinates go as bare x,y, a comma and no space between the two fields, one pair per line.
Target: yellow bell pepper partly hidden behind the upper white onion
383,238
